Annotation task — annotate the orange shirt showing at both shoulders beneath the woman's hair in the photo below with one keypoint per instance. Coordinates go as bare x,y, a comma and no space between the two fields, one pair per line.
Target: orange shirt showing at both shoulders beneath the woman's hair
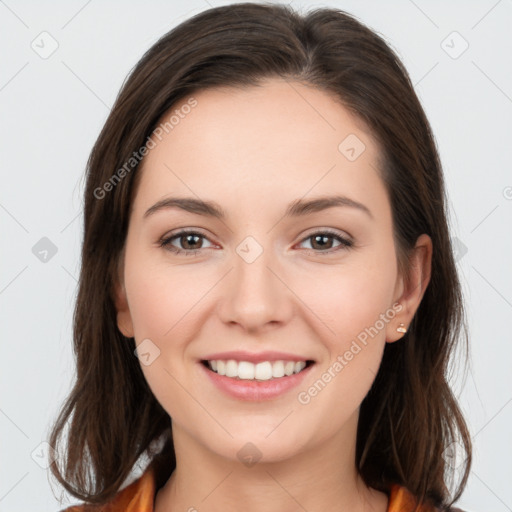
139,496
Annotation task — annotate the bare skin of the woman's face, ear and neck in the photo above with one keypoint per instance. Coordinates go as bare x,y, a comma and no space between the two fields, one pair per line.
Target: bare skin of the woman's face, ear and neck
254,151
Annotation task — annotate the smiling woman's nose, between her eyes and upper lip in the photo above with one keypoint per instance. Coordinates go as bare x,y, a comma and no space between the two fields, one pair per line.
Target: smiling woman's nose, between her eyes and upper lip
255,295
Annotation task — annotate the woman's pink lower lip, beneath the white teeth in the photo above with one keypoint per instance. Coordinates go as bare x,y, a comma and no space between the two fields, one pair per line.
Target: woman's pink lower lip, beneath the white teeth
255,390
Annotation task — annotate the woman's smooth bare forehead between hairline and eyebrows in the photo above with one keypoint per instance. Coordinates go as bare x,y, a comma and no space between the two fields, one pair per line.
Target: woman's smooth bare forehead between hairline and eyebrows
269,141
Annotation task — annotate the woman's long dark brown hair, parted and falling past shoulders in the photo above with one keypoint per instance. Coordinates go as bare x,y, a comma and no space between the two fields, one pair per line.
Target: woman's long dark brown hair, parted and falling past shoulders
410,418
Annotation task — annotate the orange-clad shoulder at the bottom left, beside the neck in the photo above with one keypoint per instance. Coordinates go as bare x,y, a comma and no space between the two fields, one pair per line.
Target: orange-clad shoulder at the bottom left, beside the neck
138,496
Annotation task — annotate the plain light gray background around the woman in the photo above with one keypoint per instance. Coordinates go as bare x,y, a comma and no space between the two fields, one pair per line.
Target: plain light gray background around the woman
52,110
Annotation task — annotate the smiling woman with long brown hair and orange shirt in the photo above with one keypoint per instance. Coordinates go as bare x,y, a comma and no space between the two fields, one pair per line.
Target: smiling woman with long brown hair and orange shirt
267,288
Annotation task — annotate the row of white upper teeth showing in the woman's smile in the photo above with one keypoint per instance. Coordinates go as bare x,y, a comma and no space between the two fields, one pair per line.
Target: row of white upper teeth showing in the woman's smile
260,371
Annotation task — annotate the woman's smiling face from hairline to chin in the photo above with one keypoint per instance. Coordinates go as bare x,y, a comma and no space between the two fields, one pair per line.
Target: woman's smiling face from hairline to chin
269,276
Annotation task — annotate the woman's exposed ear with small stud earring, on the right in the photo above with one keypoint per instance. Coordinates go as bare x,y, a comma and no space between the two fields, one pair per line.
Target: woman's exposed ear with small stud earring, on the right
411,288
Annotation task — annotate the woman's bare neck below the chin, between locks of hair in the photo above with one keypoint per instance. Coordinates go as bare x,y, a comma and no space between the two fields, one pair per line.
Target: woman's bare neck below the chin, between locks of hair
323,477
